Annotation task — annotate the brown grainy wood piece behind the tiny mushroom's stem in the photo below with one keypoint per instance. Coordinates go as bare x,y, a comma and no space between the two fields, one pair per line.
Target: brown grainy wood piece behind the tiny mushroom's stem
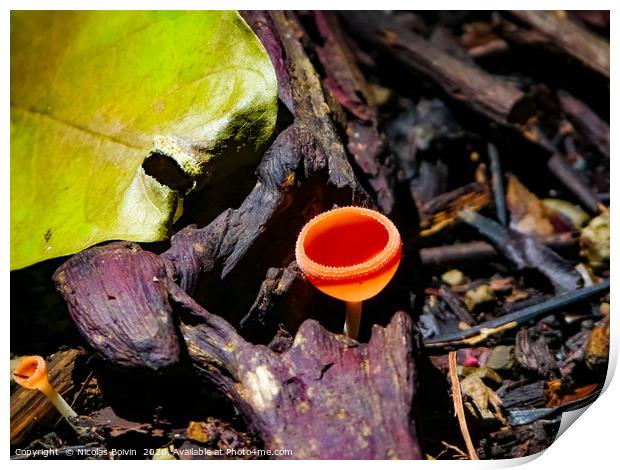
29,407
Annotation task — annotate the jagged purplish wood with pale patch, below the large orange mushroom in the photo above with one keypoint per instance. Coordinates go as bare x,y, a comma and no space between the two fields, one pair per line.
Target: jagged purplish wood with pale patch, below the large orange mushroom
326,397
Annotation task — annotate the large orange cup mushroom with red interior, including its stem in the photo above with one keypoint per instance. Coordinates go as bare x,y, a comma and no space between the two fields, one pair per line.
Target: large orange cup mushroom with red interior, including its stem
349,253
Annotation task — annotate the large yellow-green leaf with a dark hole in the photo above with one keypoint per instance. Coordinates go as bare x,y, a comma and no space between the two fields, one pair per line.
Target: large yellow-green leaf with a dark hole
116,115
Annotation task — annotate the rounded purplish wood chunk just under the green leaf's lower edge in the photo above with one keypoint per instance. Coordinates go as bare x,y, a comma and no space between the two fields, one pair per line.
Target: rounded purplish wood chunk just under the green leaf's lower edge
117,297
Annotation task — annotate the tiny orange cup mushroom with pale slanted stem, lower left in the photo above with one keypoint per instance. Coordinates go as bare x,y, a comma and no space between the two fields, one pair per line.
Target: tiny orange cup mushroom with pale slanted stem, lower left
31,372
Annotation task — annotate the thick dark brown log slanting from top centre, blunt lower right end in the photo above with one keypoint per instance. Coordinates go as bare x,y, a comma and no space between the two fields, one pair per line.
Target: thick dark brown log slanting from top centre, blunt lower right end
489,95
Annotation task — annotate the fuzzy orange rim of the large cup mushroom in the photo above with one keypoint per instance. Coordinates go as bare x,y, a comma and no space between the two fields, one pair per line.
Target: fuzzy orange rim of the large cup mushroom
372,265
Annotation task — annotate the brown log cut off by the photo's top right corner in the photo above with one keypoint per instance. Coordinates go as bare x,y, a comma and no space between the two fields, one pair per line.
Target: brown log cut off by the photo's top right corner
571,38
